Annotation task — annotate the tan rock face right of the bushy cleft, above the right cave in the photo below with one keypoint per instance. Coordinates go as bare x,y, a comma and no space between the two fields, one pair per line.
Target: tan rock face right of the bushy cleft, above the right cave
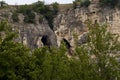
72,21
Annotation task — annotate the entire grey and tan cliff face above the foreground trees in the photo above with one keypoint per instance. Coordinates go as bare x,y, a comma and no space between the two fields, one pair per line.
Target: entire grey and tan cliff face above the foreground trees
67,25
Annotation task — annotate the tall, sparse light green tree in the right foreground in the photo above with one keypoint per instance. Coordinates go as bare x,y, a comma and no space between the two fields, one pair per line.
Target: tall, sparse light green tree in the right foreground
105,46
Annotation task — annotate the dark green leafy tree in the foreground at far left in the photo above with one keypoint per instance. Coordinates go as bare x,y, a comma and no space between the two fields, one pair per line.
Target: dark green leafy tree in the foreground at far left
12,55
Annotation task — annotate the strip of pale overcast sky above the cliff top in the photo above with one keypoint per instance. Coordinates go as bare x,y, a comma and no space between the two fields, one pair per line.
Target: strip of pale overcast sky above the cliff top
31,1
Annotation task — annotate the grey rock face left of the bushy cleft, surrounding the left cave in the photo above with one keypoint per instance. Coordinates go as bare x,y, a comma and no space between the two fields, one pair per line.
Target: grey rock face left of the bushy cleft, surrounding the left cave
30,34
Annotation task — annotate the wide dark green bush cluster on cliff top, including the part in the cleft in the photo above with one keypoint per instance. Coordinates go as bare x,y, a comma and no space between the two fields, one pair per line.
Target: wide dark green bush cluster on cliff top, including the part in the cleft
40,8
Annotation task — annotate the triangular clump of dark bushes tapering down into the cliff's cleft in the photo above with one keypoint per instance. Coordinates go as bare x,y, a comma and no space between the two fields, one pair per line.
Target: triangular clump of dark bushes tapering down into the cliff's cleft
46,11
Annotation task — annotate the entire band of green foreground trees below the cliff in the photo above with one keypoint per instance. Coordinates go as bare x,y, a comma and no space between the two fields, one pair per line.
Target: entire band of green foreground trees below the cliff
17,62
